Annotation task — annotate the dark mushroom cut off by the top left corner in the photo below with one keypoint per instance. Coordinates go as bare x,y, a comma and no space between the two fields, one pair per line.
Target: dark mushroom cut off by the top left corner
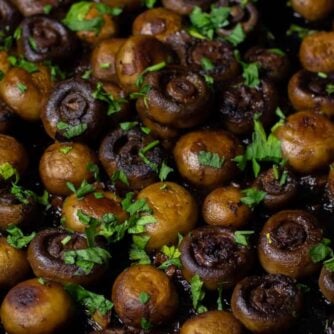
10,17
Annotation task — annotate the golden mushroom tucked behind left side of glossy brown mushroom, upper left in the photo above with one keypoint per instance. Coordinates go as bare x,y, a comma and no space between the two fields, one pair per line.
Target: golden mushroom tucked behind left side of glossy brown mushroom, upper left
103,59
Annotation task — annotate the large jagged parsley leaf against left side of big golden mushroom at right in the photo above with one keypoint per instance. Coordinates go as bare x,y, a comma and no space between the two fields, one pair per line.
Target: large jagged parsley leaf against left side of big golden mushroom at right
261,149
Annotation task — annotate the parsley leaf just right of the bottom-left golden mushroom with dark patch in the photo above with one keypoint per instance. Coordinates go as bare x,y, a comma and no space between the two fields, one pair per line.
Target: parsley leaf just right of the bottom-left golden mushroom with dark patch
91,301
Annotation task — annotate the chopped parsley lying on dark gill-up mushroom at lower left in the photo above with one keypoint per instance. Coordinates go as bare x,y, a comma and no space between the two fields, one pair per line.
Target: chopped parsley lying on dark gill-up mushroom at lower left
86,258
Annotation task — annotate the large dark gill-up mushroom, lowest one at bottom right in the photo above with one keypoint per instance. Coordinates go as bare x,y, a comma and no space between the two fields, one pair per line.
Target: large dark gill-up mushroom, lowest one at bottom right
268,304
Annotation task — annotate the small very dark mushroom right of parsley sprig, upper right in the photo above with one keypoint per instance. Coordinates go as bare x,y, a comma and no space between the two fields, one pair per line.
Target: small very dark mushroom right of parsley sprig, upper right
274,64
